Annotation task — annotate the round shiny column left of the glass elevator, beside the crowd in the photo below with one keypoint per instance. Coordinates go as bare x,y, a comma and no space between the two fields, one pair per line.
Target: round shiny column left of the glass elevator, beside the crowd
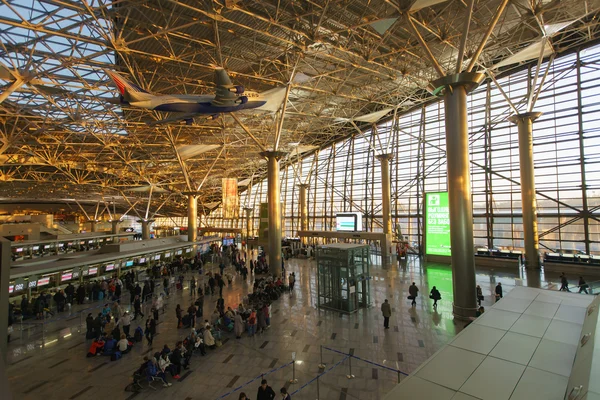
274,200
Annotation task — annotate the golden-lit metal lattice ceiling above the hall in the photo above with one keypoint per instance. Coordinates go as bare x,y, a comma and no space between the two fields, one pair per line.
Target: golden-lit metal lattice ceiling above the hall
347,63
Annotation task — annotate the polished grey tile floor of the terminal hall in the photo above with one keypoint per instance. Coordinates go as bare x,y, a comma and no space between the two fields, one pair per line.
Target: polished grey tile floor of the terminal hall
54,366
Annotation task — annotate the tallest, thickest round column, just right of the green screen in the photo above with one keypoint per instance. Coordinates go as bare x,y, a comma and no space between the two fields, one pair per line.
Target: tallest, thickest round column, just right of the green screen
455,89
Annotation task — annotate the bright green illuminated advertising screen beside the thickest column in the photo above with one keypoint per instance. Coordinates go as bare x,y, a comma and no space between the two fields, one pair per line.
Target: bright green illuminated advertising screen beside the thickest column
437,224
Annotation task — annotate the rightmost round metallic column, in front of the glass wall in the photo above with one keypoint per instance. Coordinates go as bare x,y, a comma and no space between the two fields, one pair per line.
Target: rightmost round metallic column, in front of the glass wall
528,199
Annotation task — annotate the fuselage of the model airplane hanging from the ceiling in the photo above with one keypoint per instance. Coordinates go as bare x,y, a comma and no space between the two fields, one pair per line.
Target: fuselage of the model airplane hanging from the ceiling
197,104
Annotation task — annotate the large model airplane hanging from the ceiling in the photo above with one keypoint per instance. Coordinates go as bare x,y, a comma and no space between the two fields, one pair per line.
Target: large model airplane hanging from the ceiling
228,98
